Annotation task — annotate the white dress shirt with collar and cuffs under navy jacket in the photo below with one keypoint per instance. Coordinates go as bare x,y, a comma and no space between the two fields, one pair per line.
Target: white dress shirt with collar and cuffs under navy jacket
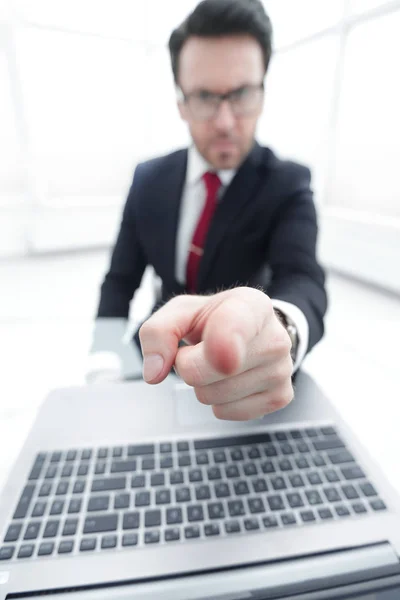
193,200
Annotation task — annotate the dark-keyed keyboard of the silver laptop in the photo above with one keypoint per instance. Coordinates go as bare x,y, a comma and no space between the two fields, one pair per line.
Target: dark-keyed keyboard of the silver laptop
103,499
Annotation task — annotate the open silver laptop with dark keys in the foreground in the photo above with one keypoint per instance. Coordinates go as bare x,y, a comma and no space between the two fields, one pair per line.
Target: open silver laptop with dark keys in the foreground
129,491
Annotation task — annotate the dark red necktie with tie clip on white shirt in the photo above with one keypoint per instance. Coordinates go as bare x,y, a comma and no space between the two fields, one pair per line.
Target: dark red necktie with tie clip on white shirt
213,183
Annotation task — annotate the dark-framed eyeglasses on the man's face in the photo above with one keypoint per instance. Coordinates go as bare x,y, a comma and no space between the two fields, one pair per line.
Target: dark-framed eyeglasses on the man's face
243,101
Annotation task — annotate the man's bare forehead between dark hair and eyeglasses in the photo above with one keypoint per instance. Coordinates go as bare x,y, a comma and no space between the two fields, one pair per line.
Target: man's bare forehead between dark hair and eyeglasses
220,64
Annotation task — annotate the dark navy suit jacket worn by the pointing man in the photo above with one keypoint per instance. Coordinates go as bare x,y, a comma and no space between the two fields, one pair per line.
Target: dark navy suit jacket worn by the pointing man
264,232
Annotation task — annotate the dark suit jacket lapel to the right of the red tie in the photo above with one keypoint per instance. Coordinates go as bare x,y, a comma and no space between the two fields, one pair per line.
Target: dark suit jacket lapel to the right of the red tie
237,196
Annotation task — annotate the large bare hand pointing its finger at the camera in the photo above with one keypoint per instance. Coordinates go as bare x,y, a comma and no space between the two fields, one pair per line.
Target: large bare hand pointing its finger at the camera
238,357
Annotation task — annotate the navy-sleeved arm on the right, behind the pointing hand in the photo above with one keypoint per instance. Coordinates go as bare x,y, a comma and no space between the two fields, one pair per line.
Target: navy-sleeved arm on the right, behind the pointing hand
297,278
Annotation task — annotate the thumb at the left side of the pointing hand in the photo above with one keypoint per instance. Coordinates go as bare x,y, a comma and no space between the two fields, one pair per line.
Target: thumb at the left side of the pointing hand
161,333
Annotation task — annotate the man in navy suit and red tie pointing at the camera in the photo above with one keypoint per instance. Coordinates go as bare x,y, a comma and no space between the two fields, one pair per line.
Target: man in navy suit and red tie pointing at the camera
228,227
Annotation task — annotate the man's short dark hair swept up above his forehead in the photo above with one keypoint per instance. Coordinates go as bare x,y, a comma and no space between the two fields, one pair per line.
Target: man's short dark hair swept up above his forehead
217,18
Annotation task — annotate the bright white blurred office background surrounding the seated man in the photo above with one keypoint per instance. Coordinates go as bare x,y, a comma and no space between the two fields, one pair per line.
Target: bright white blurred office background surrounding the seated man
86,93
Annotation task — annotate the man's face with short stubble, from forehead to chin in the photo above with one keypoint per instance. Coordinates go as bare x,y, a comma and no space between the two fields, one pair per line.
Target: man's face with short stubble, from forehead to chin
220,66
